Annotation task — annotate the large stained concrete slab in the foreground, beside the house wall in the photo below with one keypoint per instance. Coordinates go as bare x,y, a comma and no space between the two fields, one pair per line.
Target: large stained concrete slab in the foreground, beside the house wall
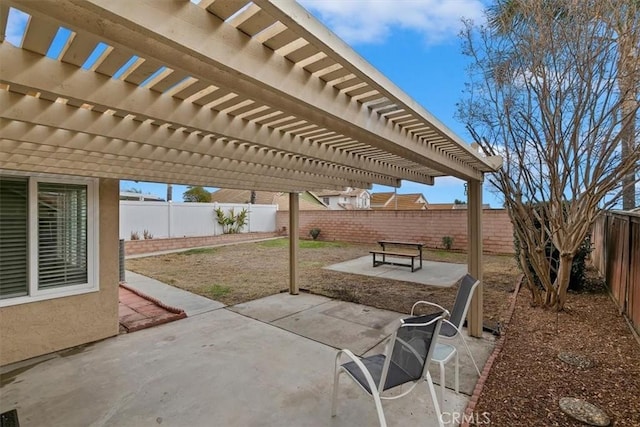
217,368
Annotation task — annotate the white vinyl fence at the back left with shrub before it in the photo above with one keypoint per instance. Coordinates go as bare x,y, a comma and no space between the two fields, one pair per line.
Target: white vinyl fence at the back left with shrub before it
168,219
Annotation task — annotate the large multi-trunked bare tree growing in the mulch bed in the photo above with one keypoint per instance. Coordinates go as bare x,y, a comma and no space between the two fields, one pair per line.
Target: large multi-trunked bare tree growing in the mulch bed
544,96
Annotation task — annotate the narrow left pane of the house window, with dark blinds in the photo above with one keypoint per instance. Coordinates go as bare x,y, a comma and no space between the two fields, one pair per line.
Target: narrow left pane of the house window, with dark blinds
14,223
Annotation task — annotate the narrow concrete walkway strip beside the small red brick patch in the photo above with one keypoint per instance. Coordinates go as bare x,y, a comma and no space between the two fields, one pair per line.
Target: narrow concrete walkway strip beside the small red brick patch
191,303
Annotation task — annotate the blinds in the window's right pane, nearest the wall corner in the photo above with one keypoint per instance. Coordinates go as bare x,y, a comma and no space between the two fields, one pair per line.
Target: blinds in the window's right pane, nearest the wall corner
62,235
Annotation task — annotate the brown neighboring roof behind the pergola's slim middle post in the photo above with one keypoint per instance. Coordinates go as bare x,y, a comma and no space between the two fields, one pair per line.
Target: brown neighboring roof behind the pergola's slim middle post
227,195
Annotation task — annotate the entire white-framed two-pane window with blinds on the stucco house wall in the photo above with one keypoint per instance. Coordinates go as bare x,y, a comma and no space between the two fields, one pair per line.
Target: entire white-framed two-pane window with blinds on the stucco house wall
48,237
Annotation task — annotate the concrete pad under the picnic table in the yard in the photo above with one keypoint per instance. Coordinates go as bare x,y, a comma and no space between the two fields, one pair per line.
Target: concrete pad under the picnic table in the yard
443,274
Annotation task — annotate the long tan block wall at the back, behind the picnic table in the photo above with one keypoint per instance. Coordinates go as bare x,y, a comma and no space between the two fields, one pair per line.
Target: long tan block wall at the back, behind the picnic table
369,226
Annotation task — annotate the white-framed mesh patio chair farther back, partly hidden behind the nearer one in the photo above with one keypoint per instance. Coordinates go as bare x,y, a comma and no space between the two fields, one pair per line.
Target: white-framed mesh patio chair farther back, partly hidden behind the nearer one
450,329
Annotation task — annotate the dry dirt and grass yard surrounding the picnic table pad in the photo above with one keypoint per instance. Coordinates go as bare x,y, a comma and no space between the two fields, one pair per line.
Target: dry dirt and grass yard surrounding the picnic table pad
243,272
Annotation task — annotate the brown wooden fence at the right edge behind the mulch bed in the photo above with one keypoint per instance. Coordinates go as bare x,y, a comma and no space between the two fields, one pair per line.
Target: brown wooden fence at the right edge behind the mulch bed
616,254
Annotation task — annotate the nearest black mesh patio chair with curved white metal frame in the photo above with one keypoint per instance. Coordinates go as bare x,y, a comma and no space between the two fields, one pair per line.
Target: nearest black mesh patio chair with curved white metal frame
406,360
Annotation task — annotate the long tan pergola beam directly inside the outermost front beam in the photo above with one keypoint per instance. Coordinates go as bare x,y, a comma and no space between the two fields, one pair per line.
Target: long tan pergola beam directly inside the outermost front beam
28,70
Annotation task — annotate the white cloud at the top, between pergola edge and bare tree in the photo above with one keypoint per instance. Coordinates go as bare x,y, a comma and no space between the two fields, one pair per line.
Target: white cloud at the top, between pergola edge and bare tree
371,21
